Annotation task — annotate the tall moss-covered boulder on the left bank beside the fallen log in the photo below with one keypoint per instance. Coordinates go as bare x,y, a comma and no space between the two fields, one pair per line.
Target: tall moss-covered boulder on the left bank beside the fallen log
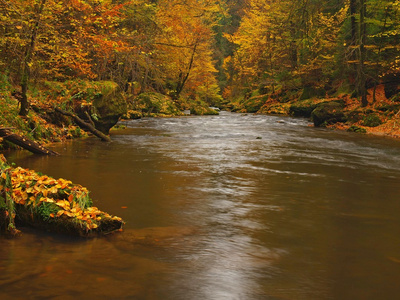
108,106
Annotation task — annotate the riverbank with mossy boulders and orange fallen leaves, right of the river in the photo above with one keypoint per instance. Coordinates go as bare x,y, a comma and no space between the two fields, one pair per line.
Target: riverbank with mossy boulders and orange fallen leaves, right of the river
342,112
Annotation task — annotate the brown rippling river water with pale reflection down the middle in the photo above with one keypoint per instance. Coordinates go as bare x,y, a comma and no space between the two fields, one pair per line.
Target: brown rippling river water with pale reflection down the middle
220,207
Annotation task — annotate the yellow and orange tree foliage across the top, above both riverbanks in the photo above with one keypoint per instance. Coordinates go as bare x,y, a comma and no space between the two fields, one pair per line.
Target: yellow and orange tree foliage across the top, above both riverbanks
198,49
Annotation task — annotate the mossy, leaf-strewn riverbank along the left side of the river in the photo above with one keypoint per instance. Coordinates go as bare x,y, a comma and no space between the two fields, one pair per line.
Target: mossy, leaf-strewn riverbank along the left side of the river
97,104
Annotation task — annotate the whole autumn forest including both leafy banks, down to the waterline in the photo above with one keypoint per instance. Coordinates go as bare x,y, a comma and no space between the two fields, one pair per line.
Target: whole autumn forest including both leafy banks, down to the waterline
101,60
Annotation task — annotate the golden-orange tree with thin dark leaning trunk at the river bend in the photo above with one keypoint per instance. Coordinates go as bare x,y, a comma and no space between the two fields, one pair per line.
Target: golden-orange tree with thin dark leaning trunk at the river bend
184,46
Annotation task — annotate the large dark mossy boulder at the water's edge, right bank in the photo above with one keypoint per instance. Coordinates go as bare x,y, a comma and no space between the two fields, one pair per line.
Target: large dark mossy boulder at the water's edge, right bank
328,113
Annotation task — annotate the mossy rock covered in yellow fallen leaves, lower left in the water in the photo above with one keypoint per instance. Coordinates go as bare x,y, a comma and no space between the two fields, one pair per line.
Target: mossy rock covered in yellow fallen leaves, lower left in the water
52,204
